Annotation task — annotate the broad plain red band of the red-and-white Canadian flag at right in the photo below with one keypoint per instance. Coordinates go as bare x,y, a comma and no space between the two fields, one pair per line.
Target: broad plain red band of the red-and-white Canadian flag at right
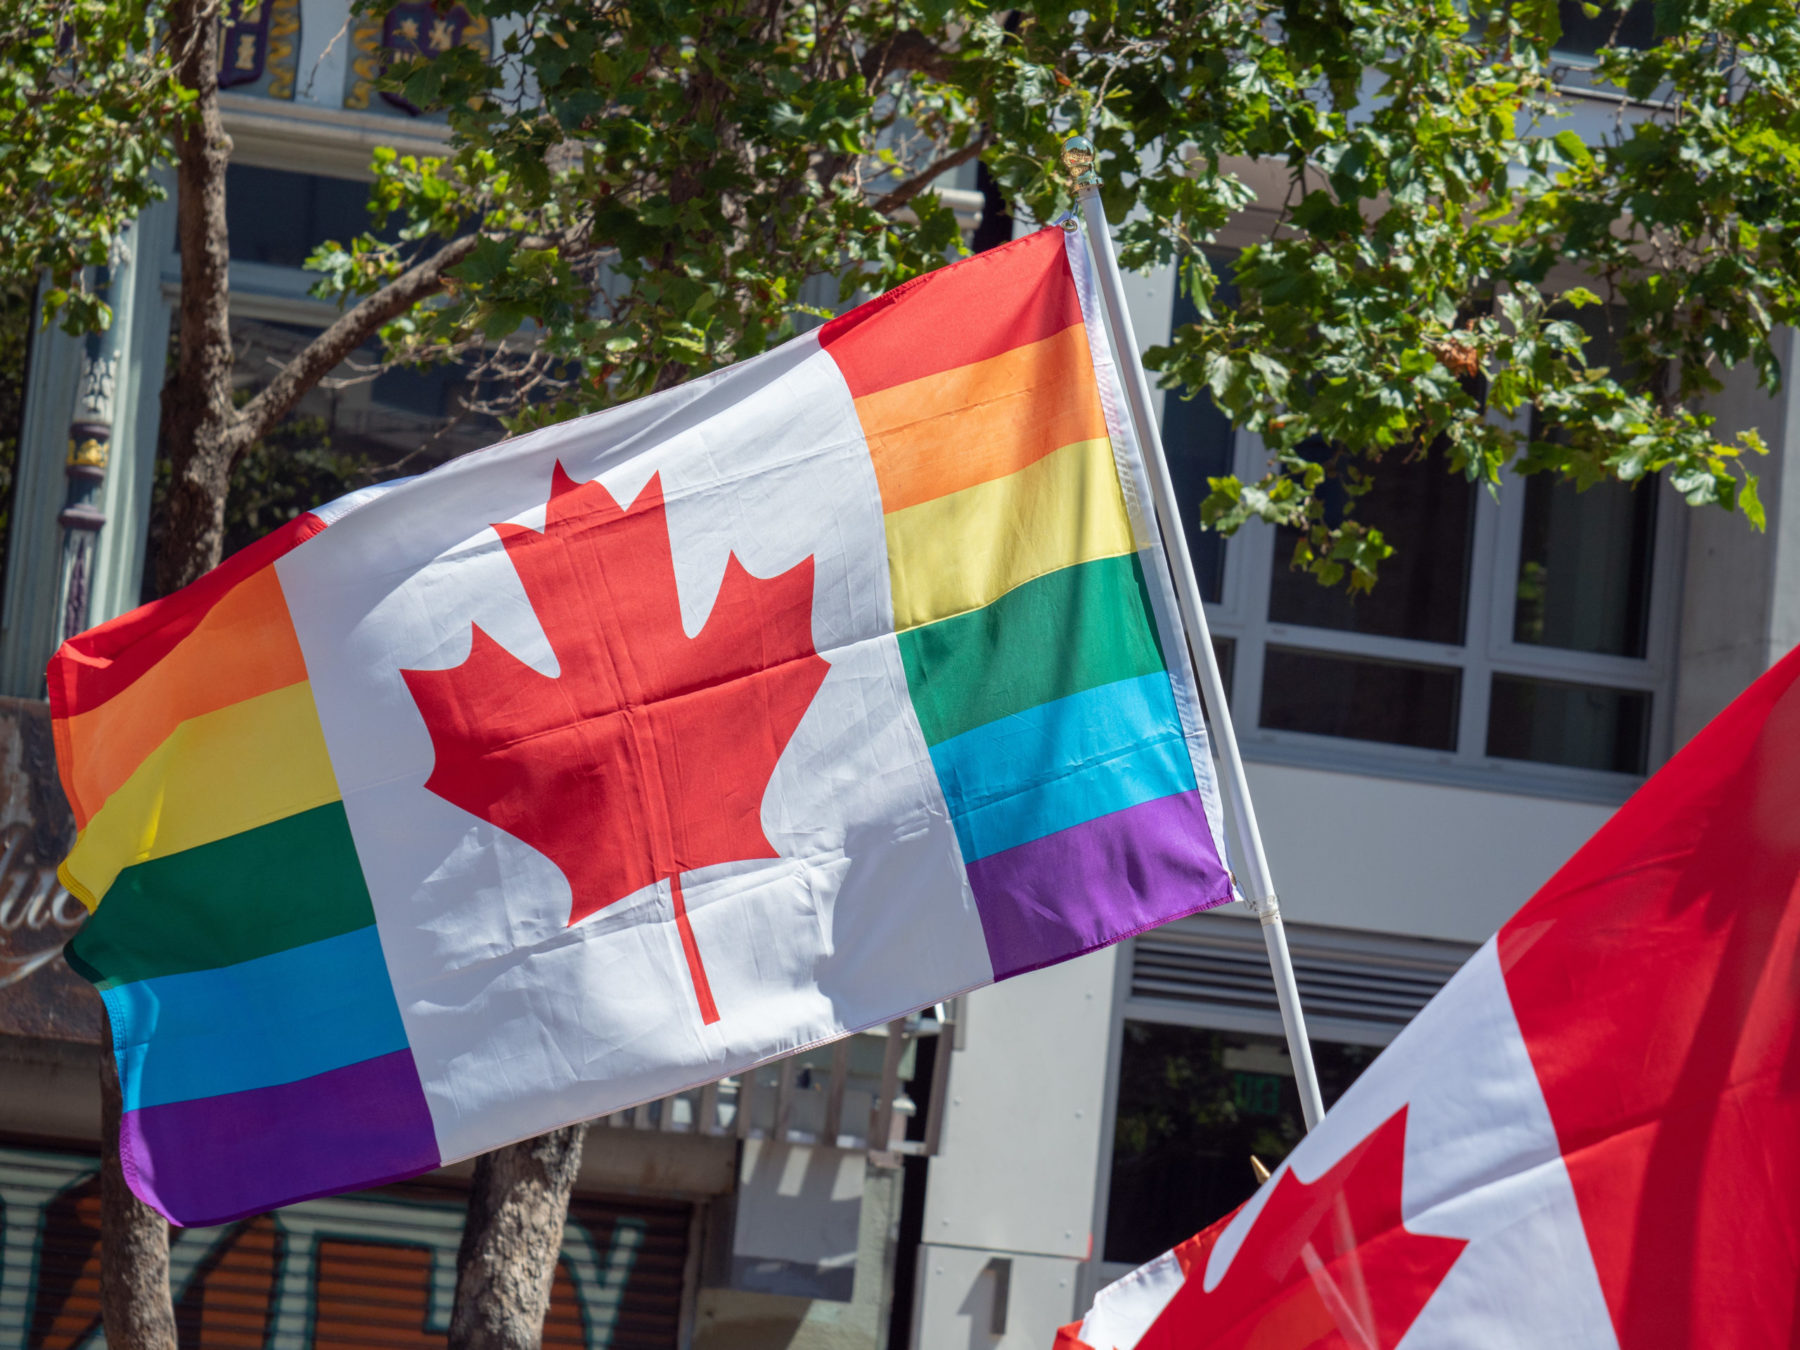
1657,980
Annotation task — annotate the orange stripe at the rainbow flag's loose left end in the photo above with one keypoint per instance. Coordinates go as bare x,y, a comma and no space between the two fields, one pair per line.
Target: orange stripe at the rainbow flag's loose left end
242,649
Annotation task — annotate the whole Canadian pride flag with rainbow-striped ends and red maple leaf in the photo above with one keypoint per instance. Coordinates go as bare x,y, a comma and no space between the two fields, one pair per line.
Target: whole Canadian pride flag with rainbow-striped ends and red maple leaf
638,751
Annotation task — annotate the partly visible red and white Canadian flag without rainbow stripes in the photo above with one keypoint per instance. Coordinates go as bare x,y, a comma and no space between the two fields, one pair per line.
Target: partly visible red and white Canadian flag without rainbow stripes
1590,1138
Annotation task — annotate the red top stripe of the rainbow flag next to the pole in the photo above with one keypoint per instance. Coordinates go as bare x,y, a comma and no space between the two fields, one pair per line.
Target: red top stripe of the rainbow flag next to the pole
969,312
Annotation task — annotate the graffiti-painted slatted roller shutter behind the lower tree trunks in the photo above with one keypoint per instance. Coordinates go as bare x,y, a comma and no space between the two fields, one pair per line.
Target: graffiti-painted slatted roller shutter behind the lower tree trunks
373,1270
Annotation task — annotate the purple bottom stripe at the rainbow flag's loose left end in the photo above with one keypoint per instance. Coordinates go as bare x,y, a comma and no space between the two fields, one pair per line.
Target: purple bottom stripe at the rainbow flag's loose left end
220,1158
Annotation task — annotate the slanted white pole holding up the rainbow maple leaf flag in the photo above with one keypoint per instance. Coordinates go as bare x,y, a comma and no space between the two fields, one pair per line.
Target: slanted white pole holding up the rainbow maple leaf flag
1257,885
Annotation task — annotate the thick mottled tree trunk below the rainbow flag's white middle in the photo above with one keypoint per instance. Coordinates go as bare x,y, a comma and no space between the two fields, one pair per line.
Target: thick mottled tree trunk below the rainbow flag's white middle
512,1239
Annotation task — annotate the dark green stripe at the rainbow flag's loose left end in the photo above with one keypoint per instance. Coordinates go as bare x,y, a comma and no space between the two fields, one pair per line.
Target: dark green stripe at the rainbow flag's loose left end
255,894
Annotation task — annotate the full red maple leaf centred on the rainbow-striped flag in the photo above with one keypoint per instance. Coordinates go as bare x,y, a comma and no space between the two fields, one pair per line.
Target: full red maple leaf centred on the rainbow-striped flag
649,753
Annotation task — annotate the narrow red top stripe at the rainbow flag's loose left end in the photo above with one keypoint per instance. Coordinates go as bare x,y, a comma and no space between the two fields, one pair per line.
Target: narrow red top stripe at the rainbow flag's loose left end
93,667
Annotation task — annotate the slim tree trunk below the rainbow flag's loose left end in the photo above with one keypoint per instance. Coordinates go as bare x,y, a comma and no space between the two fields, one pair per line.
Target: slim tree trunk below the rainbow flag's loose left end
136,1306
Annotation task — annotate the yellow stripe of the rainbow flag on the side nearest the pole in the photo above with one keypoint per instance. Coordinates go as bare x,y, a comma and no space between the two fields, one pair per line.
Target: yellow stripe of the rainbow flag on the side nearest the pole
971,548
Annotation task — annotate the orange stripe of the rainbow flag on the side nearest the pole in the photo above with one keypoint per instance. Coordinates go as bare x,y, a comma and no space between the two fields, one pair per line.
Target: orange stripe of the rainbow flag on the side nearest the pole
982,422
